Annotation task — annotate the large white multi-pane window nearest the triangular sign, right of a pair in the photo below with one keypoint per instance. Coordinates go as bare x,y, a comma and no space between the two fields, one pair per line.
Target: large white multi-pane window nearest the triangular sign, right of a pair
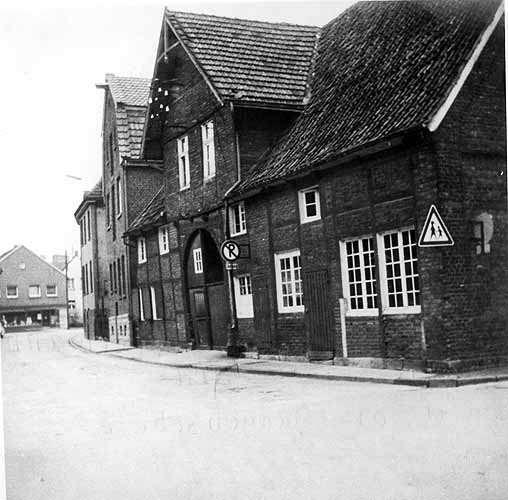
398,270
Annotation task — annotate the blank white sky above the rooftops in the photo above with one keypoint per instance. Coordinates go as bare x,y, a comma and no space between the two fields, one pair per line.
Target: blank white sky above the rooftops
52,54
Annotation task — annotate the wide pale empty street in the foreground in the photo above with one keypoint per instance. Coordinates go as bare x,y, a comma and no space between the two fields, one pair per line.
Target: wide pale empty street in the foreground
92,426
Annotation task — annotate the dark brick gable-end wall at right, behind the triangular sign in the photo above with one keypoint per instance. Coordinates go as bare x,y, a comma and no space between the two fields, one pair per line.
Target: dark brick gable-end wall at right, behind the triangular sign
470,154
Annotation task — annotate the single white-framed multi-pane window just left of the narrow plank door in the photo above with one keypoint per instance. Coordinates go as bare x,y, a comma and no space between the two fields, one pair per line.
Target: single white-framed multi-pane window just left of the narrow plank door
288,276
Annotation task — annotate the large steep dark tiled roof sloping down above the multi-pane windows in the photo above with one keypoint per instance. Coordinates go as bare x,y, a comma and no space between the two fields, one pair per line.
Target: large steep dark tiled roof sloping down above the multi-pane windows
382,68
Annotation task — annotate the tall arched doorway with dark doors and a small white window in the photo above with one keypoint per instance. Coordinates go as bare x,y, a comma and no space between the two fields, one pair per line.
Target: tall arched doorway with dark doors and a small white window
207,293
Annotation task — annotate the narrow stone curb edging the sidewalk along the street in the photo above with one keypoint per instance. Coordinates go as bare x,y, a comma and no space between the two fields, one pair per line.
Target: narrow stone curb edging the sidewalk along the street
423,383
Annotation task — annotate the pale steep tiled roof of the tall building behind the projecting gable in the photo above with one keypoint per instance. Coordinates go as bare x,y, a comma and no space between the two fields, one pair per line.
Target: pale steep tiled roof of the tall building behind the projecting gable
131,99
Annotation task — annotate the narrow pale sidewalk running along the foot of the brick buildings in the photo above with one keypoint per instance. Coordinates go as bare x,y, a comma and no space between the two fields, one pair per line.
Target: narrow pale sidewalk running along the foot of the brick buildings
218,361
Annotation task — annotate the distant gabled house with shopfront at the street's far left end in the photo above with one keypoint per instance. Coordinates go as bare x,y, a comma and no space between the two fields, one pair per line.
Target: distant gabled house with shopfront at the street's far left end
32,291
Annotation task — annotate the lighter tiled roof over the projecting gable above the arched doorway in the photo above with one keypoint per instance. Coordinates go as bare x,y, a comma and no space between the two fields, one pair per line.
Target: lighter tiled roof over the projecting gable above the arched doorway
251,61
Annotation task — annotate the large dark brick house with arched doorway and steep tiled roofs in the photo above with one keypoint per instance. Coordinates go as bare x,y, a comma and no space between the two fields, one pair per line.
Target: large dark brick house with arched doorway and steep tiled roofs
321,151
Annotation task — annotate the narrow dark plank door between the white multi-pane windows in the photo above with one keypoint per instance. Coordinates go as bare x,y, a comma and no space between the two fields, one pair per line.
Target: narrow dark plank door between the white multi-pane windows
319,319
